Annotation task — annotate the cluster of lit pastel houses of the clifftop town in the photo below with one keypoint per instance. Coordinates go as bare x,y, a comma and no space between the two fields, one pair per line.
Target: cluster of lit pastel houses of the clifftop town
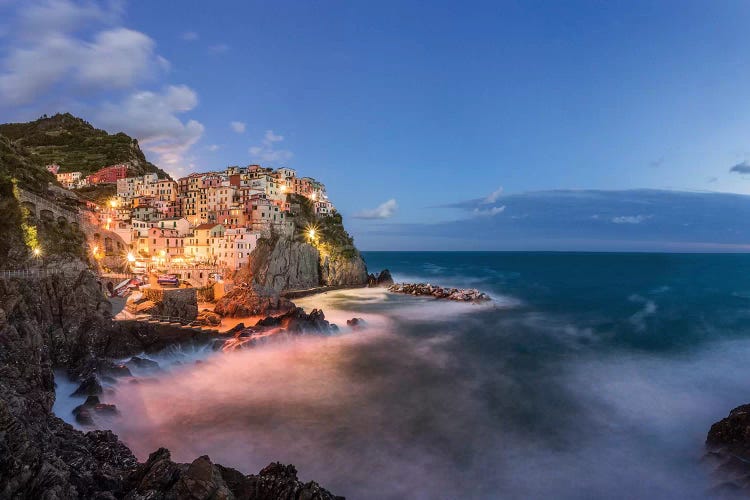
206,222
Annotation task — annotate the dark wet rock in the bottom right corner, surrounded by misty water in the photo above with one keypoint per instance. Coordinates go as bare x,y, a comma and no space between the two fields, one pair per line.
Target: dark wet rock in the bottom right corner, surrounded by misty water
728,444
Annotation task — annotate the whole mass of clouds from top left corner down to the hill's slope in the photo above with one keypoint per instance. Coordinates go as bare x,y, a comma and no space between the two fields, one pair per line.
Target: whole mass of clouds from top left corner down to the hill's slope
64,55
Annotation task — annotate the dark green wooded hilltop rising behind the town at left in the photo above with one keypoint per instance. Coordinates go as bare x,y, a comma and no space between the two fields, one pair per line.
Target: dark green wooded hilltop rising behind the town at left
76,145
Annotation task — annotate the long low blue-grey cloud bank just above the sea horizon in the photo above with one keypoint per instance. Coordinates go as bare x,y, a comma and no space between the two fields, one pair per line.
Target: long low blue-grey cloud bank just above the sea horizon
637,220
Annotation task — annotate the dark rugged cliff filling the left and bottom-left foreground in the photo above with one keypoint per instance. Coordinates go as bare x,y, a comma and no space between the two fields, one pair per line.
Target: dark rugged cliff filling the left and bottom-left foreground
65,322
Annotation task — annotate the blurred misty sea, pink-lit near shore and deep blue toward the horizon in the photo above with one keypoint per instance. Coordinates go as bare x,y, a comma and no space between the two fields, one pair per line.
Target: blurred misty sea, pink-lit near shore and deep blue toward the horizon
588,376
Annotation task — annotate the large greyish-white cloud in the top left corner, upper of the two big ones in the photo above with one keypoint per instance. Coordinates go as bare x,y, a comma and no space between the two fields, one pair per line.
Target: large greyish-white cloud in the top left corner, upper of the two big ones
55,57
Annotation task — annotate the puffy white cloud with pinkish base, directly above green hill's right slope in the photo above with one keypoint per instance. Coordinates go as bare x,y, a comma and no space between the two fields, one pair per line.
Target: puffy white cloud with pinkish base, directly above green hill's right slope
151,117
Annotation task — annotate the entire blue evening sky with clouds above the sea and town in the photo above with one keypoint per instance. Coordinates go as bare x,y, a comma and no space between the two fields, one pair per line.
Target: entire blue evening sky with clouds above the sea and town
427,121
